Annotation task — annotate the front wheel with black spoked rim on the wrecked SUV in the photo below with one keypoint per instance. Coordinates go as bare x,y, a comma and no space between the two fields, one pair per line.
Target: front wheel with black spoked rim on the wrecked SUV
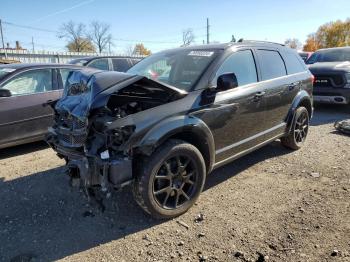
170,180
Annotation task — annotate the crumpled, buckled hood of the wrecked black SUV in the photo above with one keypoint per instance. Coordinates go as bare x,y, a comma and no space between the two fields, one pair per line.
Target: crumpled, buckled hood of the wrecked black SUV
86,89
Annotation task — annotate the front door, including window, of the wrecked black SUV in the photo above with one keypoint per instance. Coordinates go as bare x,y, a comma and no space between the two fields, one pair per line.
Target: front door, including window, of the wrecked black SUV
234,115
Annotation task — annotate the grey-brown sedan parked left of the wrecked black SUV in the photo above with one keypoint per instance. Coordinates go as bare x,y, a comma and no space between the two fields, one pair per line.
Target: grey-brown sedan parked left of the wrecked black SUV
25,89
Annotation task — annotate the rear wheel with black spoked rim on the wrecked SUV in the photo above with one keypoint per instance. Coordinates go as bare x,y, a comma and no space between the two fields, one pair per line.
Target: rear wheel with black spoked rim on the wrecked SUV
299,130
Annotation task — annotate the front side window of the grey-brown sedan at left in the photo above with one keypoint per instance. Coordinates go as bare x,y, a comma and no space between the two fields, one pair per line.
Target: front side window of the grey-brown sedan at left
30,82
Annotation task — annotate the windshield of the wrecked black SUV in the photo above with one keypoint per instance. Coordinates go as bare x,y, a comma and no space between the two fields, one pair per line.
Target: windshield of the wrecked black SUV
179,68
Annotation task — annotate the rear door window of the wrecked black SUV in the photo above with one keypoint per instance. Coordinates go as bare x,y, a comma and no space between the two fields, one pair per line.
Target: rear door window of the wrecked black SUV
272,65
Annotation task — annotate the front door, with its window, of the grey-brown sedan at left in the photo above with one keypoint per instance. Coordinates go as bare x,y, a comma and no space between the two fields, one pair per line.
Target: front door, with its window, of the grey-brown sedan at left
22,115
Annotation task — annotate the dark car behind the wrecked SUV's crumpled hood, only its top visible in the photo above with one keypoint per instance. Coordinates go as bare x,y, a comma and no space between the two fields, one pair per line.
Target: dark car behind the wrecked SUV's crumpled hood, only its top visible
110,63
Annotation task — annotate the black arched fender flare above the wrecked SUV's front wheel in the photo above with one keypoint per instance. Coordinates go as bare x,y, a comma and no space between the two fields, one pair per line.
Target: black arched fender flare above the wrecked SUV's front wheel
176,126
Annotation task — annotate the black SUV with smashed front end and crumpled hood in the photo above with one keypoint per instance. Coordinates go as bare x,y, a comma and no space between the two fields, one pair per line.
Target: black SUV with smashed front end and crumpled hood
176,116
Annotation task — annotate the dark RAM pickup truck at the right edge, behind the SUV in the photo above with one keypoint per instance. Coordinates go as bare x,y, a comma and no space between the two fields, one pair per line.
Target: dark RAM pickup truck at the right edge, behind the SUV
331,68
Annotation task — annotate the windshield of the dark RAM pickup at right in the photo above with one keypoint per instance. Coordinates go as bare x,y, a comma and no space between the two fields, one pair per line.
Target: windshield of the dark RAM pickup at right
331,55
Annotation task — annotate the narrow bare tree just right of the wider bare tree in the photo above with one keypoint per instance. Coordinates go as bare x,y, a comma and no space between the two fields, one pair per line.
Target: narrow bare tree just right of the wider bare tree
100,35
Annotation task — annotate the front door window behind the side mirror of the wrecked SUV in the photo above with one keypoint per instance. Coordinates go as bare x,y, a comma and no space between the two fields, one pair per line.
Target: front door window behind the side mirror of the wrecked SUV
242,64
